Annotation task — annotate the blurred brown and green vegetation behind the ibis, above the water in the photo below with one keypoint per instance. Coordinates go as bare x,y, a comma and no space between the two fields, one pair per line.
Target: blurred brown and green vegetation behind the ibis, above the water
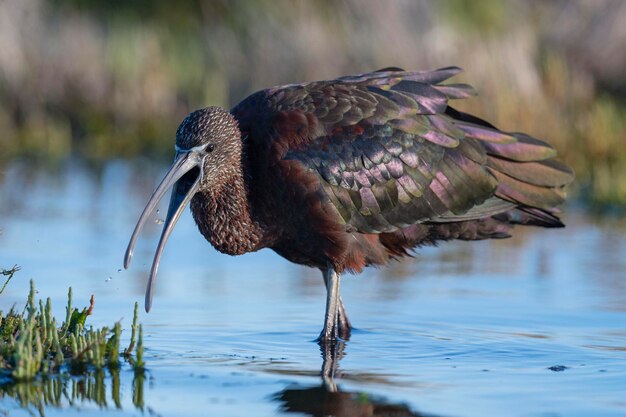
101,79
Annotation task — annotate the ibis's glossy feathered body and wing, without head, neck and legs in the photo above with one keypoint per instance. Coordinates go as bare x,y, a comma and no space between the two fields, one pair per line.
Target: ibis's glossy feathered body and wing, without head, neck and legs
389,165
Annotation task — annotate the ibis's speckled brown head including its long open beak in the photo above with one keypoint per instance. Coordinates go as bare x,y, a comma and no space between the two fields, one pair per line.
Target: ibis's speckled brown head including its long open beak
208,149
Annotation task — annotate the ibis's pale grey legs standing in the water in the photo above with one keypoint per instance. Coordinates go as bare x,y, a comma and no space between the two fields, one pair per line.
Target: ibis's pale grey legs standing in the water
336,321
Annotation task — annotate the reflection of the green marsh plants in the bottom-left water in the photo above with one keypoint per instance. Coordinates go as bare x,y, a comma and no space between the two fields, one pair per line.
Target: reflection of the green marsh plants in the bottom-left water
63,390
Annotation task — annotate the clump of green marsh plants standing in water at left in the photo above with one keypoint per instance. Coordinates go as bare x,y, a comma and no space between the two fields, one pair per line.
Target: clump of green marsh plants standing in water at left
33,345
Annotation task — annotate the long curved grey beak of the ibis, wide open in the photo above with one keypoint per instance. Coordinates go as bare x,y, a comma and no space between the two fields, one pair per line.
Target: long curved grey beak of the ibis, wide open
182,192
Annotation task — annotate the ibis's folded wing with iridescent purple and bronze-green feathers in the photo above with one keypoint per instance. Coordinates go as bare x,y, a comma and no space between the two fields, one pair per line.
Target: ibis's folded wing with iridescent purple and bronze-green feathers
389,151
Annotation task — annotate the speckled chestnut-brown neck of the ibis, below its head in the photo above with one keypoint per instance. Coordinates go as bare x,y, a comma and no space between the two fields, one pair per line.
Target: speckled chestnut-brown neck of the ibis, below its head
224,218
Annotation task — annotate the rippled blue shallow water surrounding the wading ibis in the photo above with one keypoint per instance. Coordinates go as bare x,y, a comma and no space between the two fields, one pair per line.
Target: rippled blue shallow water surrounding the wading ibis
529,326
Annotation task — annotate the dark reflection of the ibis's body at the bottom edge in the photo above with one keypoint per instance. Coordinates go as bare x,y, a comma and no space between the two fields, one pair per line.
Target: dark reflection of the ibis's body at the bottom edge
321,401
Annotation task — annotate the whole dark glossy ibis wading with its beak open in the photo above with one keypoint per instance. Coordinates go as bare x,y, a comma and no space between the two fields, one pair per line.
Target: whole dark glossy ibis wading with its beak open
353,172
